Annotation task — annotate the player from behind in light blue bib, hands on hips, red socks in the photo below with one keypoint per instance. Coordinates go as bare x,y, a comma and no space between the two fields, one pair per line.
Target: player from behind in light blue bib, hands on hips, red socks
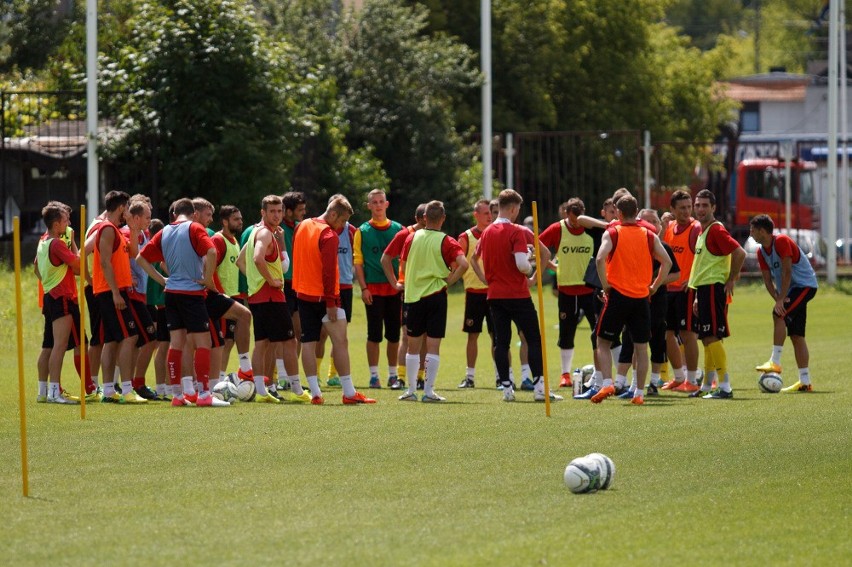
191,260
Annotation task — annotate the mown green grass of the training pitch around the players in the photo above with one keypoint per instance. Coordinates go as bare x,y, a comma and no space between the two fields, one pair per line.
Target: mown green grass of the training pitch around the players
761,479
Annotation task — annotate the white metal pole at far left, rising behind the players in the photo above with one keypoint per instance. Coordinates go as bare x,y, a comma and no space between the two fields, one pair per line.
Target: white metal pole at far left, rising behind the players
92,185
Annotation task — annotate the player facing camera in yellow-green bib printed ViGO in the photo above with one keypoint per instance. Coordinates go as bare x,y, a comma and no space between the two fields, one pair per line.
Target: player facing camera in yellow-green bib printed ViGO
573,247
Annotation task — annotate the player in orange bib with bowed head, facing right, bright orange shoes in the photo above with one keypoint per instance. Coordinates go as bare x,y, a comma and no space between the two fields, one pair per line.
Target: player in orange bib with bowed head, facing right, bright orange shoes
316,280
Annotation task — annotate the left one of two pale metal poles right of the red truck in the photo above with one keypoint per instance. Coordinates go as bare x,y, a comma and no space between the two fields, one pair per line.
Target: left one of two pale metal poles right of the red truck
834,13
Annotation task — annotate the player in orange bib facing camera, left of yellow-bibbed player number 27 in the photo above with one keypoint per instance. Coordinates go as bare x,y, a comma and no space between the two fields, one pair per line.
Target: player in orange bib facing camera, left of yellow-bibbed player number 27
682,235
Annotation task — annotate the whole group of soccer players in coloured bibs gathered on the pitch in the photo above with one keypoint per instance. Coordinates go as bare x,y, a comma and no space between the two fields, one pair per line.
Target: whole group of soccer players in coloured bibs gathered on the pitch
182,295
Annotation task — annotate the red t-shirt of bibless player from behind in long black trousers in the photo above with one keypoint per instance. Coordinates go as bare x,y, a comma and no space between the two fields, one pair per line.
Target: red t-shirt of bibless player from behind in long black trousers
497,248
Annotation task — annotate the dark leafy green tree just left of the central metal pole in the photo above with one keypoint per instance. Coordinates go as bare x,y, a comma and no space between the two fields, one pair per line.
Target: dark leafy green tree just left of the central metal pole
398,88
